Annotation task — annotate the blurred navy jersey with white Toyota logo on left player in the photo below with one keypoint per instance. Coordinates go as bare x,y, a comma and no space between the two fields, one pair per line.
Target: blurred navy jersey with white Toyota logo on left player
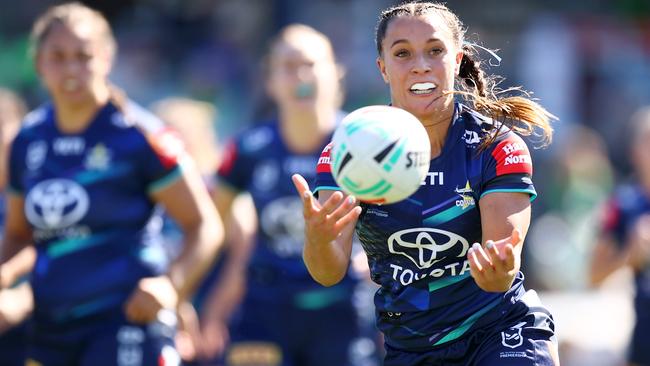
87,198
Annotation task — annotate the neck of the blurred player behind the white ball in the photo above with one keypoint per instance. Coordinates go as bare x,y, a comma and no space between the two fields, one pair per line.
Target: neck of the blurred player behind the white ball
304,132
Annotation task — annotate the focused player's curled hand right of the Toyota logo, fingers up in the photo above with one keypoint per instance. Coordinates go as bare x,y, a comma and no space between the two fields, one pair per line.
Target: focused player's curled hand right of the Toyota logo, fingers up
495,266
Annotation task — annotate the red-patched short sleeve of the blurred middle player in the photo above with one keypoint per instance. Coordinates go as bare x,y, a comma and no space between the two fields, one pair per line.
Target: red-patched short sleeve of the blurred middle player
236,168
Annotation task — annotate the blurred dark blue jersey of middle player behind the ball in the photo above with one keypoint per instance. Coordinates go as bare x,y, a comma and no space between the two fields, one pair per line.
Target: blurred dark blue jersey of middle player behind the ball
258,161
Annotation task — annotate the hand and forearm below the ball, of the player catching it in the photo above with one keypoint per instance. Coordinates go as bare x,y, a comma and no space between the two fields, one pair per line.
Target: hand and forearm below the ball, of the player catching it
329,228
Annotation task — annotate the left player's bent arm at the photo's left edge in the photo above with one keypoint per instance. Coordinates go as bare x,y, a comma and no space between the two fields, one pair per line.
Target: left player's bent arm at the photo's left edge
18,255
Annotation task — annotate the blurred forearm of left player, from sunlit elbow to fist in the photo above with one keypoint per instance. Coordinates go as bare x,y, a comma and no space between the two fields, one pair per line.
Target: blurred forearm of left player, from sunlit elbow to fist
201,245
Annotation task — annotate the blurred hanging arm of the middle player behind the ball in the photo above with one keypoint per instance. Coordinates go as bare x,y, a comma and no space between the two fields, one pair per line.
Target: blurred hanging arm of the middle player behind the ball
240,220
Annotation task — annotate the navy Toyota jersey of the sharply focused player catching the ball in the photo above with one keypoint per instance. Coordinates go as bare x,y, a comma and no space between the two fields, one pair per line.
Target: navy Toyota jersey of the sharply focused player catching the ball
417,248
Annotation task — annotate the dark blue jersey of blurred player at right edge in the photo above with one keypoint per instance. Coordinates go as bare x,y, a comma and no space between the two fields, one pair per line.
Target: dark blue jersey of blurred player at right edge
622,211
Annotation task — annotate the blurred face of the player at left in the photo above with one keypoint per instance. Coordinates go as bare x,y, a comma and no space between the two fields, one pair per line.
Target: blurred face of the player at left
73,61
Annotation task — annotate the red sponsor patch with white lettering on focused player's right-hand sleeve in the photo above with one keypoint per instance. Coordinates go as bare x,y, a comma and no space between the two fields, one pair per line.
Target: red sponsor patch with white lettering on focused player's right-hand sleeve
512,156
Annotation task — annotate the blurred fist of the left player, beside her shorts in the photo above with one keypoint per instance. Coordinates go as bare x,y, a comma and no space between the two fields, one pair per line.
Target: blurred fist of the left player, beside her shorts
150,296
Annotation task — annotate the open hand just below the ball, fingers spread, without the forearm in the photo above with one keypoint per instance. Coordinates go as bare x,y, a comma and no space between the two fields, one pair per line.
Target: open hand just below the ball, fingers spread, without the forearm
324,223
